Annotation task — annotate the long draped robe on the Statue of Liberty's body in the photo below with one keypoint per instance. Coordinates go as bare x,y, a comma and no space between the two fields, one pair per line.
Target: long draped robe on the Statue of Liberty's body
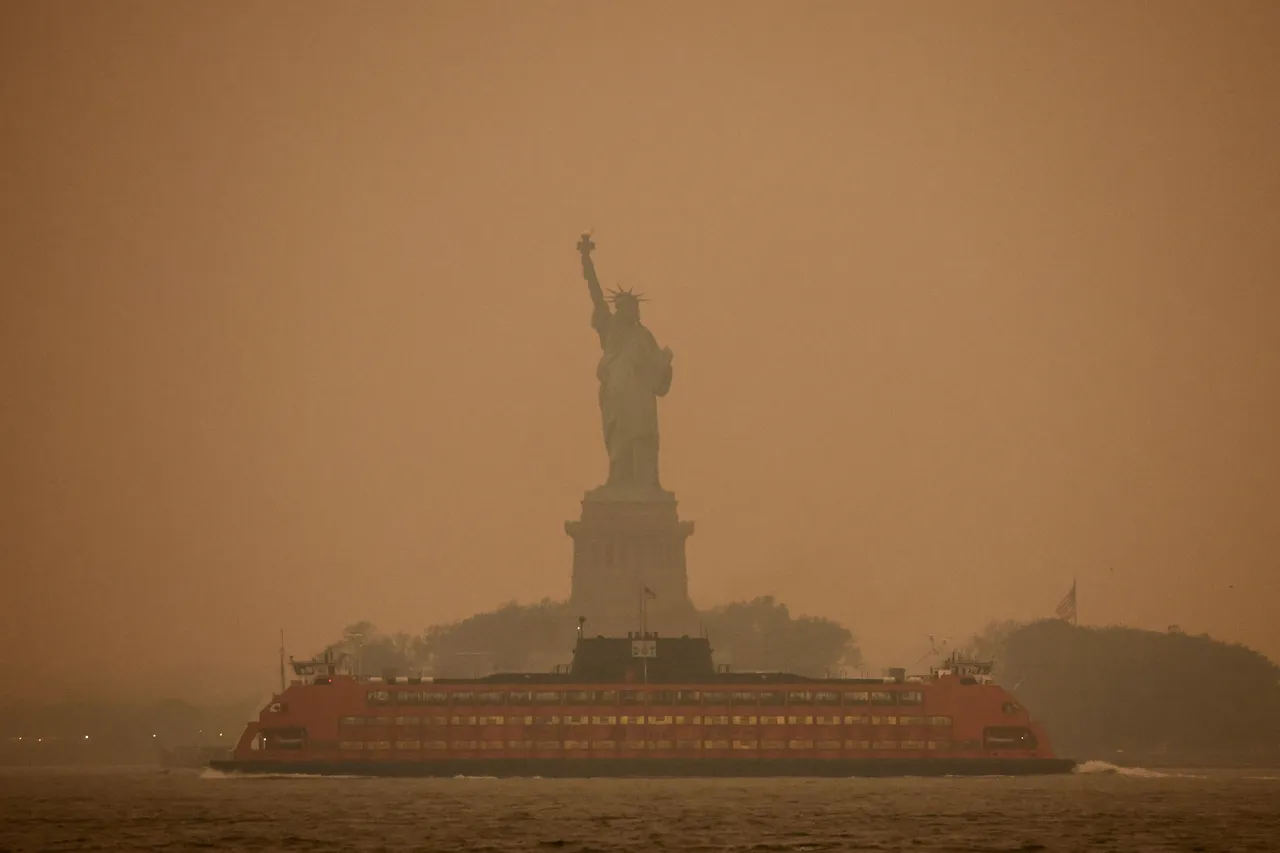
634,373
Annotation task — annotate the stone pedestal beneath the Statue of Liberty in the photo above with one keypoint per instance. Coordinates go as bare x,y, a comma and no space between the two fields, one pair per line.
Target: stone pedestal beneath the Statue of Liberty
621,545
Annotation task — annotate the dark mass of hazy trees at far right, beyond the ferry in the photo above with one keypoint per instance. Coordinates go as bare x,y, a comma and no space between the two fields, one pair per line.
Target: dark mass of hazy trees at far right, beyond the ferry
1116,692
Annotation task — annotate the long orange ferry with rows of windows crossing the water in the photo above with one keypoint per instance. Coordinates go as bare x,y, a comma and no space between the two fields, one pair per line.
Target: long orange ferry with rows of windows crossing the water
644,706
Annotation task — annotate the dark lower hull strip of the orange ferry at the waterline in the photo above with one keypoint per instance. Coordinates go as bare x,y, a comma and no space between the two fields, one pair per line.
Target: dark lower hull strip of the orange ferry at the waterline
661,768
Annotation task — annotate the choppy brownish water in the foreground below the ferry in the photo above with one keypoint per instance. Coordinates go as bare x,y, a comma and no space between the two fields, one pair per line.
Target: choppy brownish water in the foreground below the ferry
1100,809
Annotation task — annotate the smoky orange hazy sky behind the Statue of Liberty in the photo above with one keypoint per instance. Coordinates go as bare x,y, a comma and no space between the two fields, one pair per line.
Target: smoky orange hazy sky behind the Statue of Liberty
967,300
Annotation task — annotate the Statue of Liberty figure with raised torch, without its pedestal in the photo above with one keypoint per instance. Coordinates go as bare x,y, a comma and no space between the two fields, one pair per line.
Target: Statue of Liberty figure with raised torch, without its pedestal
633,375
